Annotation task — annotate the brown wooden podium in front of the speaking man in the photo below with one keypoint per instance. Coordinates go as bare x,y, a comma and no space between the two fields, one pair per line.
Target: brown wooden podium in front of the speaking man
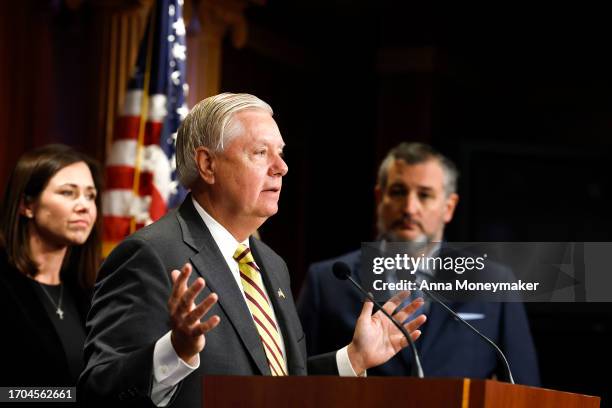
324,391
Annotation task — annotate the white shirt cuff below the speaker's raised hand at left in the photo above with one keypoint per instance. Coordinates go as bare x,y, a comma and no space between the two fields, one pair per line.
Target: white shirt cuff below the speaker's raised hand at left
168,370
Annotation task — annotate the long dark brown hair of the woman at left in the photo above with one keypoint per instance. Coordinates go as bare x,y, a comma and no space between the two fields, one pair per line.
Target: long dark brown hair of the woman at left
27,181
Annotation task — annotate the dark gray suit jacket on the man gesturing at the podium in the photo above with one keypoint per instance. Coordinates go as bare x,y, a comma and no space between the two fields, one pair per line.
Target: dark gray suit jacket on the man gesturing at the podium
129,313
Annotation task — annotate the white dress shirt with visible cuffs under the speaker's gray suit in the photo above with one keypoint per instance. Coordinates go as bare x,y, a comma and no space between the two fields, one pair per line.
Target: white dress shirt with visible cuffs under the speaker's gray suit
168,368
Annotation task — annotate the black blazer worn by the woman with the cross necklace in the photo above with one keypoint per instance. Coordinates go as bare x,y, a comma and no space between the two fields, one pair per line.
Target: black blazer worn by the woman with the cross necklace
33,352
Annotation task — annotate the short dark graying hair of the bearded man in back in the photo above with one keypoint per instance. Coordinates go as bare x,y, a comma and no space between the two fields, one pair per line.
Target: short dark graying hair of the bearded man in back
415,153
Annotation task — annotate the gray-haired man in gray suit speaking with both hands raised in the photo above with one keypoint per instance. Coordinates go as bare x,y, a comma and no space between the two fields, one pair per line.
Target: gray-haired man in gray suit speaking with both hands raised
147,344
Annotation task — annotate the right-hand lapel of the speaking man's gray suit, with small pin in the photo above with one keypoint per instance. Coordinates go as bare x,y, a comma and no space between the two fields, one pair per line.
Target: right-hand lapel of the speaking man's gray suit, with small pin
284,310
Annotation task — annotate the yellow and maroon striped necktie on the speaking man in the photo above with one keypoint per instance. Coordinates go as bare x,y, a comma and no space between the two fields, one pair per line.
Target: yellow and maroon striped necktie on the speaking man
260,308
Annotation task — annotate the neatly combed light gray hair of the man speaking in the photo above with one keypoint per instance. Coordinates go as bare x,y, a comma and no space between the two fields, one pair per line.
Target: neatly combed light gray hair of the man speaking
210,124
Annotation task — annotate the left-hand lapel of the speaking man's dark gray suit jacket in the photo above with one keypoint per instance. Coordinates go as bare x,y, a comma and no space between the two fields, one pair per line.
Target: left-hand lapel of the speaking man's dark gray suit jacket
210,264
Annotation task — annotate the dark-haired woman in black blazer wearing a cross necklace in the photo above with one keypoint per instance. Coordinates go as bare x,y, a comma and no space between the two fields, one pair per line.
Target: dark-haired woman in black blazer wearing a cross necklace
49,254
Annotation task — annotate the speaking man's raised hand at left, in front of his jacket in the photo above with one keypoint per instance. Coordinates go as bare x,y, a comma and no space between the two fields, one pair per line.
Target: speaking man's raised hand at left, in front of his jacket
187,329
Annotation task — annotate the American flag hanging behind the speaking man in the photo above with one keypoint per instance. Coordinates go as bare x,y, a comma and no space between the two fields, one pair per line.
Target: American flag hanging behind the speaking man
141,182
